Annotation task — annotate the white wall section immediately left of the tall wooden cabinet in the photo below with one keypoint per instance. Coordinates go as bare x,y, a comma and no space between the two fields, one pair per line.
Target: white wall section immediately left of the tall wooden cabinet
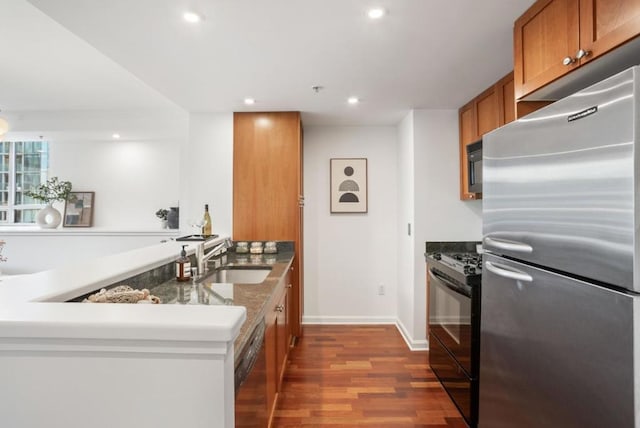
207,172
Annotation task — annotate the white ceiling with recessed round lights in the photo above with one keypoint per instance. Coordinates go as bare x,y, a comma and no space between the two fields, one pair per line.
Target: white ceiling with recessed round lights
78,55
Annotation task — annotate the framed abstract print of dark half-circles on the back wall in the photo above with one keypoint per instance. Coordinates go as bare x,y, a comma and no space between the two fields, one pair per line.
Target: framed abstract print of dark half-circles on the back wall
349,187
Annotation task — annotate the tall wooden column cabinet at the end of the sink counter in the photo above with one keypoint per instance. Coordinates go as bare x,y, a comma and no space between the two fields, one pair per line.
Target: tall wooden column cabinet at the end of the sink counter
267,188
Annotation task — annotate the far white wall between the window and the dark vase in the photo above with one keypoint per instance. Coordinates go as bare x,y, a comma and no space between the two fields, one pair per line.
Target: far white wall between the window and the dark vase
132,179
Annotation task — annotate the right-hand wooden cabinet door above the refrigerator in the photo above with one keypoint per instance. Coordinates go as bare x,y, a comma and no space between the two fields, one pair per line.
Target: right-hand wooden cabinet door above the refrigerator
606,24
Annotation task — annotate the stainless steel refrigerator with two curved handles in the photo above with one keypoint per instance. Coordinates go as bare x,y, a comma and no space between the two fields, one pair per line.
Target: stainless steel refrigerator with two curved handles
560,330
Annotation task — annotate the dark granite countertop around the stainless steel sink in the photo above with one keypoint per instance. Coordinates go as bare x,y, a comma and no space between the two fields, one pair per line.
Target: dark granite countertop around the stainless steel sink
254,297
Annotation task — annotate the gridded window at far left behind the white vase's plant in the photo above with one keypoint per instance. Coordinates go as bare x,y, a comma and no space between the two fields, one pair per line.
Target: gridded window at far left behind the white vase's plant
23,166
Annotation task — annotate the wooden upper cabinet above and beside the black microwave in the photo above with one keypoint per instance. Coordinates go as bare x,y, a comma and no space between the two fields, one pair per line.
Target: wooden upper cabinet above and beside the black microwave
494,107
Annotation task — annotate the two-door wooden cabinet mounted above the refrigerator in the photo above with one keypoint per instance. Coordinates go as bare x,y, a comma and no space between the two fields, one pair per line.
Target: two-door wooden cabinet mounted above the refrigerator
555,37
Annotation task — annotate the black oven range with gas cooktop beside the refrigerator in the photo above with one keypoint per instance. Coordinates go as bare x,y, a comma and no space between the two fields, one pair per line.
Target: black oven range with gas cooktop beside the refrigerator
454,326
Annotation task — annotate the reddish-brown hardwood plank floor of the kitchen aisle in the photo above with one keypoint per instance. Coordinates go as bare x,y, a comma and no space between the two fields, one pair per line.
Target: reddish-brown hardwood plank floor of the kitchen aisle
361,376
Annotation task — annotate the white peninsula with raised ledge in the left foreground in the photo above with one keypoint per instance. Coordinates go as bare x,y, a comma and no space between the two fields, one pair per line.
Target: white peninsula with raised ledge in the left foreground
112,365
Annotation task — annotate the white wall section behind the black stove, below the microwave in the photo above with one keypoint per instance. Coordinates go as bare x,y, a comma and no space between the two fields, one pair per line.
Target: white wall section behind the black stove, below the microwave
429,155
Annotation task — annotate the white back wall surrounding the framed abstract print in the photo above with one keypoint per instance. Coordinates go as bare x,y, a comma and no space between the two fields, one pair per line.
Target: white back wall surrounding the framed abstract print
348,256
